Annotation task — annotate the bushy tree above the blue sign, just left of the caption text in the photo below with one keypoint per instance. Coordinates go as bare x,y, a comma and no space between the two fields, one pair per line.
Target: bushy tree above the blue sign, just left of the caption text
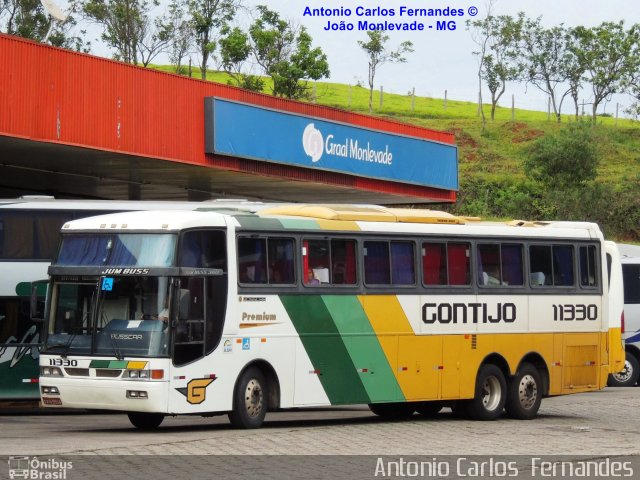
284,53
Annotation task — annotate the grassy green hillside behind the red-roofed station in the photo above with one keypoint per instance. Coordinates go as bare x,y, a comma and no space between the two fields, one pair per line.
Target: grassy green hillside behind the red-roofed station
492,178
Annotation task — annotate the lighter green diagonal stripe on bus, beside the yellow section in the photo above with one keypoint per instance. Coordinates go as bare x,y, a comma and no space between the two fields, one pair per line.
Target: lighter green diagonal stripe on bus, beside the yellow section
364,348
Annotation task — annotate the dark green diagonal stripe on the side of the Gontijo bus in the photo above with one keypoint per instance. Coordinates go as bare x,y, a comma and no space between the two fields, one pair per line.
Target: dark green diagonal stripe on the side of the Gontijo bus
326,349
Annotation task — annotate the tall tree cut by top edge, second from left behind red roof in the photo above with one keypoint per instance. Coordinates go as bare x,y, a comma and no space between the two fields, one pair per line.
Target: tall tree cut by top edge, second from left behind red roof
124,24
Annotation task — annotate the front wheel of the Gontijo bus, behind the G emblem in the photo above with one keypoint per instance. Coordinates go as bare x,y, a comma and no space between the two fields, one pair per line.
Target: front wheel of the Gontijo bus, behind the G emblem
249,400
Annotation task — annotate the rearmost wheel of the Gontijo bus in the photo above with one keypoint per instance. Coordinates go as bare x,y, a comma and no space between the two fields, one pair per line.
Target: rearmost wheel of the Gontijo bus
524,393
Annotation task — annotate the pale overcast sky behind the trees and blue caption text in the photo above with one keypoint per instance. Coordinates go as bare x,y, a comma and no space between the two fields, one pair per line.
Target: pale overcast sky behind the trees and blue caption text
442,60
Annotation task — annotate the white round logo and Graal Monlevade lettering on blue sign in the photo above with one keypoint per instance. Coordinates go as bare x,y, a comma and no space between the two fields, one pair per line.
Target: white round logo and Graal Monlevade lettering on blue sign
315,145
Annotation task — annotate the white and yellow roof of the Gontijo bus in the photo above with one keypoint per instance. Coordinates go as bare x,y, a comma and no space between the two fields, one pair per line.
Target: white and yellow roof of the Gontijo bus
368,218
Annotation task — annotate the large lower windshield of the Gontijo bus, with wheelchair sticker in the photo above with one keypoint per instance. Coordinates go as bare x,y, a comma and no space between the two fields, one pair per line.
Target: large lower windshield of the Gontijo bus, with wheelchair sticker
114,316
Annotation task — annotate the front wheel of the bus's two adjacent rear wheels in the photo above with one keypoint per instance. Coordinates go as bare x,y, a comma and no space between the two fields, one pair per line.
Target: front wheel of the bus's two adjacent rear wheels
490,394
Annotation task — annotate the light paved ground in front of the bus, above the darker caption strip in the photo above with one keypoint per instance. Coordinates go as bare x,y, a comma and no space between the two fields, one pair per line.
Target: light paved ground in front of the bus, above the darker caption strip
599,423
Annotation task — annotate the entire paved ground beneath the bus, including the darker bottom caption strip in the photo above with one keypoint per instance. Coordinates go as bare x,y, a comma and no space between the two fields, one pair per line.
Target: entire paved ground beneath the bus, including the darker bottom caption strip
604,426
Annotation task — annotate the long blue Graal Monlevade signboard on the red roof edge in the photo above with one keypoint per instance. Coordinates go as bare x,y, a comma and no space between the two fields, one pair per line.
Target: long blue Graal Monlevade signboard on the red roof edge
257,133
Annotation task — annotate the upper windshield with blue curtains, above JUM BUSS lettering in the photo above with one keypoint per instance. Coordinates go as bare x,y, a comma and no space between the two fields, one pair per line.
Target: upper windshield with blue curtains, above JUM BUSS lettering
122,250
